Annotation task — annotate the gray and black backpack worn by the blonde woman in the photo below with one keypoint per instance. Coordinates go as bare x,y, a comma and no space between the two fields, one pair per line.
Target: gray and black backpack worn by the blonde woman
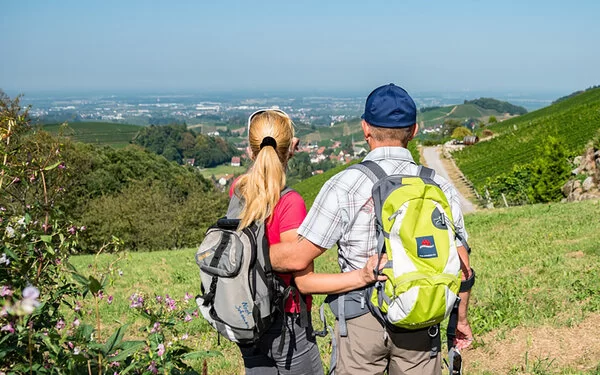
240,294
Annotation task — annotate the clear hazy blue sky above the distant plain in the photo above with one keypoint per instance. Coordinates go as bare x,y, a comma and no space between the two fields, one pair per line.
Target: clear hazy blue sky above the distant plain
299,45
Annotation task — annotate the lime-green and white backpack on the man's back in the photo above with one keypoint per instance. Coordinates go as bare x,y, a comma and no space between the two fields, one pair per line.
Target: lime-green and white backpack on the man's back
415,229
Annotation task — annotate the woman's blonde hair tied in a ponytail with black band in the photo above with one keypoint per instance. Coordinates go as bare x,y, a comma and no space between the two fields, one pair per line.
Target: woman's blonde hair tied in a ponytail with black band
261,186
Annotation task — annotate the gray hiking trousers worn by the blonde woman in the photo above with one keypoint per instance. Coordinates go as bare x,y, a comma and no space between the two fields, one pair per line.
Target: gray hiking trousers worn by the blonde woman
300,354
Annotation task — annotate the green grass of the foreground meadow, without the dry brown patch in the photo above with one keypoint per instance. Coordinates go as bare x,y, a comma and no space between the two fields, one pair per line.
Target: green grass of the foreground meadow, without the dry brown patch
526,275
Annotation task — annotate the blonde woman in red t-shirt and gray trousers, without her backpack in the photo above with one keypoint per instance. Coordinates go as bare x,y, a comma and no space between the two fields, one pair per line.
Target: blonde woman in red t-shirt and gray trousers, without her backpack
271,144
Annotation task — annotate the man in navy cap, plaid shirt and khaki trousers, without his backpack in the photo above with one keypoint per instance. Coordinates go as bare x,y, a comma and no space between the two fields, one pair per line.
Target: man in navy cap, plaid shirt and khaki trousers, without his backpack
343,213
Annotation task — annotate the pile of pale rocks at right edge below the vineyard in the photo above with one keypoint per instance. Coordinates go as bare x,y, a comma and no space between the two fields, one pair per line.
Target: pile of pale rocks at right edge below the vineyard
585,183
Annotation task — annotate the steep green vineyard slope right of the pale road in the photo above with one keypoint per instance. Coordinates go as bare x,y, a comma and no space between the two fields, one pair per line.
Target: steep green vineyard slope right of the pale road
573,121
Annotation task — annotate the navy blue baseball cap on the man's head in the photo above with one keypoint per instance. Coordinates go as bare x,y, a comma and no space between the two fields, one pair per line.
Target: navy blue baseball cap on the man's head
390,106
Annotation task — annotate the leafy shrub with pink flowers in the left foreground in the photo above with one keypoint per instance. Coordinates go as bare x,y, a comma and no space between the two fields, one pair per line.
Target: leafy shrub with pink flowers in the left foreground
44,302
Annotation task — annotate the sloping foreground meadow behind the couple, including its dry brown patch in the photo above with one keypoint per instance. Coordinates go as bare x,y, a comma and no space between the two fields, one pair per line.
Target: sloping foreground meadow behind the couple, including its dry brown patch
537,269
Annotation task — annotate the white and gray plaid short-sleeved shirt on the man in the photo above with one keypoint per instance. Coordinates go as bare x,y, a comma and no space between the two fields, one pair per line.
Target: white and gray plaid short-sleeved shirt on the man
343,211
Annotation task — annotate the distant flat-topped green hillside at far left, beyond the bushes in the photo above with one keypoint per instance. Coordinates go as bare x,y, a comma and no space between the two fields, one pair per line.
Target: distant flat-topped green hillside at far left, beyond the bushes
98,133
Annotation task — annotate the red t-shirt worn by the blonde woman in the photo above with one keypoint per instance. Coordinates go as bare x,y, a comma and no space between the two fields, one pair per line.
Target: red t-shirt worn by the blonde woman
289,213
